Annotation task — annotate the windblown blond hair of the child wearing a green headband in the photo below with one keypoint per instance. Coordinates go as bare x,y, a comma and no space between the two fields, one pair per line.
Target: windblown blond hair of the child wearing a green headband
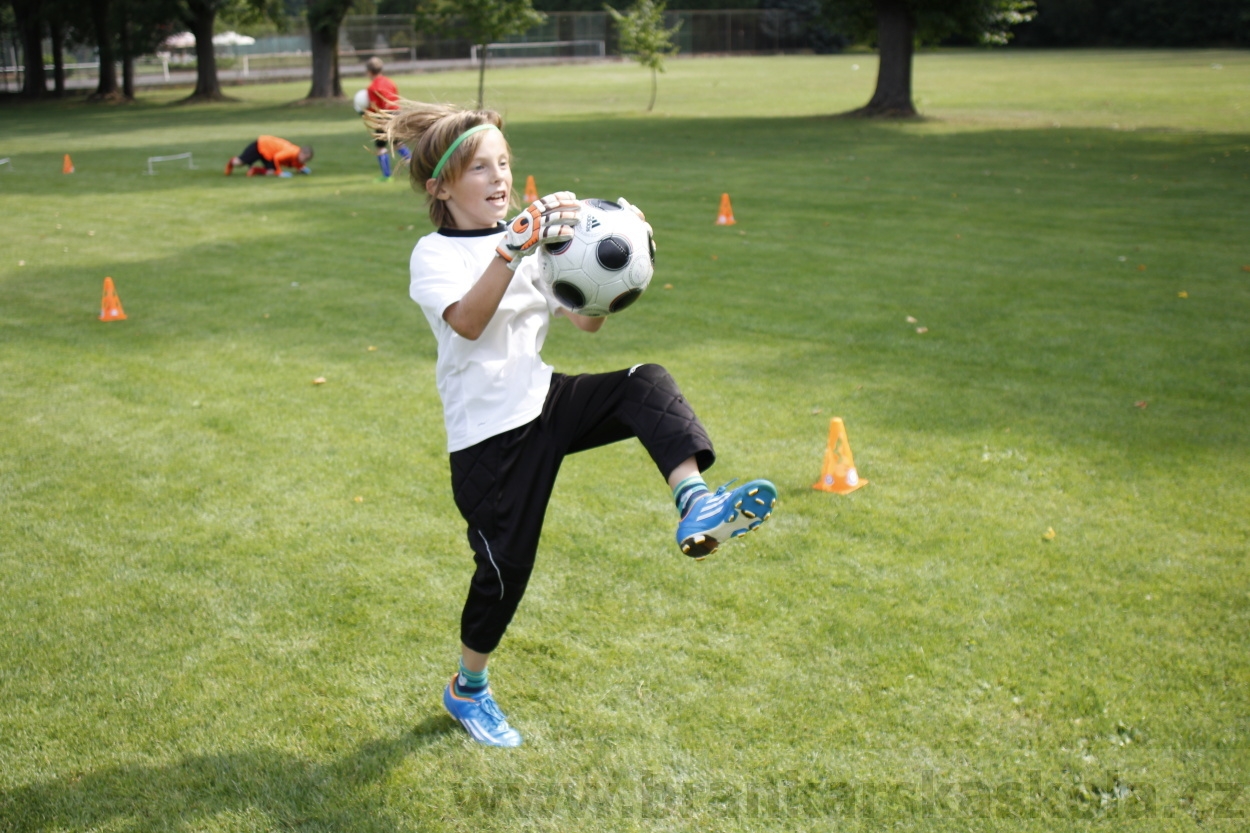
428,131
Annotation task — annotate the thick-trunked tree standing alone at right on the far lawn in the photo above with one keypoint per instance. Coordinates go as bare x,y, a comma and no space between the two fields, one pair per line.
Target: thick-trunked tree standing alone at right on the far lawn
897,26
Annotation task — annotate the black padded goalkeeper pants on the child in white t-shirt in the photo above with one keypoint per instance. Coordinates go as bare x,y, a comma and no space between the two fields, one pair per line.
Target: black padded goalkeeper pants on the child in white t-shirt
503,485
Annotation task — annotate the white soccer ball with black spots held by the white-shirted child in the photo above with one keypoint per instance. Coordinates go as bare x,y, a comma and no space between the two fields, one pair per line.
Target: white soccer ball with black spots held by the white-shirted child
607,266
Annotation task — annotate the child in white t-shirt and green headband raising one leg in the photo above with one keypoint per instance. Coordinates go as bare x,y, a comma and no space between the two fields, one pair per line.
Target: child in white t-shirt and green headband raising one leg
511,420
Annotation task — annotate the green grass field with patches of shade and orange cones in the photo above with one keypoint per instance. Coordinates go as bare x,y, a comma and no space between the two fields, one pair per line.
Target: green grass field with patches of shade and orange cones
229,598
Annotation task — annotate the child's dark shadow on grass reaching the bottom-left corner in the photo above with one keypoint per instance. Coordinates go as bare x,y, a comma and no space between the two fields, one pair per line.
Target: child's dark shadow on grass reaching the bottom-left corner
289,791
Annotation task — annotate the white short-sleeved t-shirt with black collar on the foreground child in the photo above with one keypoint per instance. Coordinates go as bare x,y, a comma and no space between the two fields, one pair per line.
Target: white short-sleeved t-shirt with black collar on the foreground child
498,382
